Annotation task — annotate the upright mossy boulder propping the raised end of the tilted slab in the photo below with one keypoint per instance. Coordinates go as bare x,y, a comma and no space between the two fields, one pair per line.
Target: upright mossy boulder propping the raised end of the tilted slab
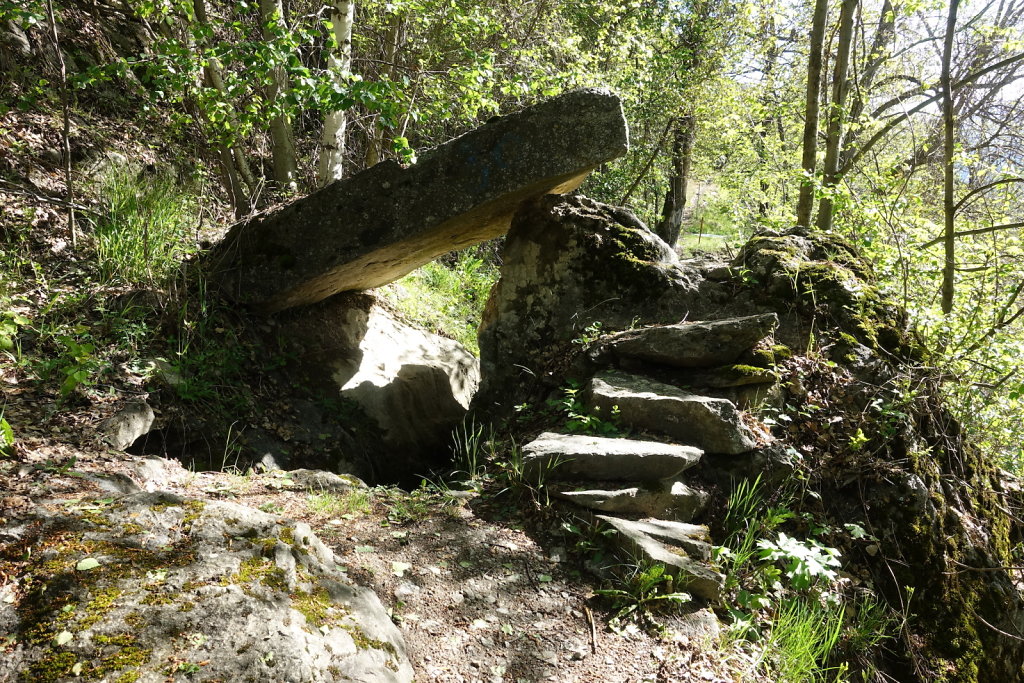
569,263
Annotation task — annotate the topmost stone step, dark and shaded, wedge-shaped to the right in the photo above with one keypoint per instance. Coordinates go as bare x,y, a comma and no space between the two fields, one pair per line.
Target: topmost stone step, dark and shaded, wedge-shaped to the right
705,345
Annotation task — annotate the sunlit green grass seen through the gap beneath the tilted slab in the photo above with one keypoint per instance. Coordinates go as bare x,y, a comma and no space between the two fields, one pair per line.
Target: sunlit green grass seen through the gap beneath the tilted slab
447,300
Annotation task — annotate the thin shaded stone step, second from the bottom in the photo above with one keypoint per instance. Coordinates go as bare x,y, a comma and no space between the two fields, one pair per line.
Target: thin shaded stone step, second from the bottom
677,502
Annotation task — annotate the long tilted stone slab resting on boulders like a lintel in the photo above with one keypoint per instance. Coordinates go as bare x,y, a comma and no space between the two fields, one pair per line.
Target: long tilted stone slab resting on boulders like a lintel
380,225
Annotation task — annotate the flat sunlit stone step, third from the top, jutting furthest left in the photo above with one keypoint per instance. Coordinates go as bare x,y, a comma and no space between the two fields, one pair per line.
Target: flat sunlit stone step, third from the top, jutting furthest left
602,459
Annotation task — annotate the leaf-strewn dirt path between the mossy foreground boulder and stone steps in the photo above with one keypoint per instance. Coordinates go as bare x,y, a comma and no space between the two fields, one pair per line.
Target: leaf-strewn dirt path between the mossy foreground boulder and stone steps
482,589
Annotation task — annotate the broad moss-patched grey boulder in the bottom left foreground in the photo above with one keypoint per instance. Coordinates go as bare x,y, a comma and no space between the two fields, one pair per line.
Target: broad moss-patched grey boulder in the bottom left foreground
131,588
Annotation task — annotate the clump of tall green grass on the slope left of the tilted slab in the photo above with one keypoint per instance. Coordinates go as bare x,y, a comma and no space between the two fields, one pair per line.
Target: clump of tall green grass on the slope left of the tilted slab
148,227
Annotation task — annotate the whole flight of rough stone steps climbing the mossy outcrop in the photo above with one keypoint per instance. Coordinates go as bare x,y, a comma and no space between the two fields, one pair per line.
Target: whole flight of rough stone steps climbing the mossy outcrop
657,378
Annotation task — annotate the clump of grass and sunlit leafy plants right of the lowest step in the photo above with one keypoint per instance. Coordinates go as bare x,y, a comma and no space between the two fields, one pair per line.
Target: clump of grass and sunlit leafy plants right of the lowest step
789,607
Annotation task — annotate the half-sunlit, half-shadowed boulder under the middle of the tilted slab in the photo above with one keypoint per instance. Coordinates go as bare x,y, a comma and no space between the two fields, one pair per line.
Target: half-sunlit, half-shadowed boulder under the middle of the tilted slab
406,389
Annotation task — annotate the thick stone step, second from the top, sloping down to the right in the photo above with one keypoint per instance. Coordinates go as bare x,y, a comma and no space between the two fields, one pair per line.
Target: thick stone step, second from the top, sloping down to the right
712,424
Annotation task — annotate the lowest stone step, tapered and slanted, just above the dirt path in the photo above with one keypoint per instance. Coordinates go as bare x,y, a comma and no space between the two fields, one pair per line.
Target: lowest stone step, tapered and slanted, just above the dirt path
684,549
